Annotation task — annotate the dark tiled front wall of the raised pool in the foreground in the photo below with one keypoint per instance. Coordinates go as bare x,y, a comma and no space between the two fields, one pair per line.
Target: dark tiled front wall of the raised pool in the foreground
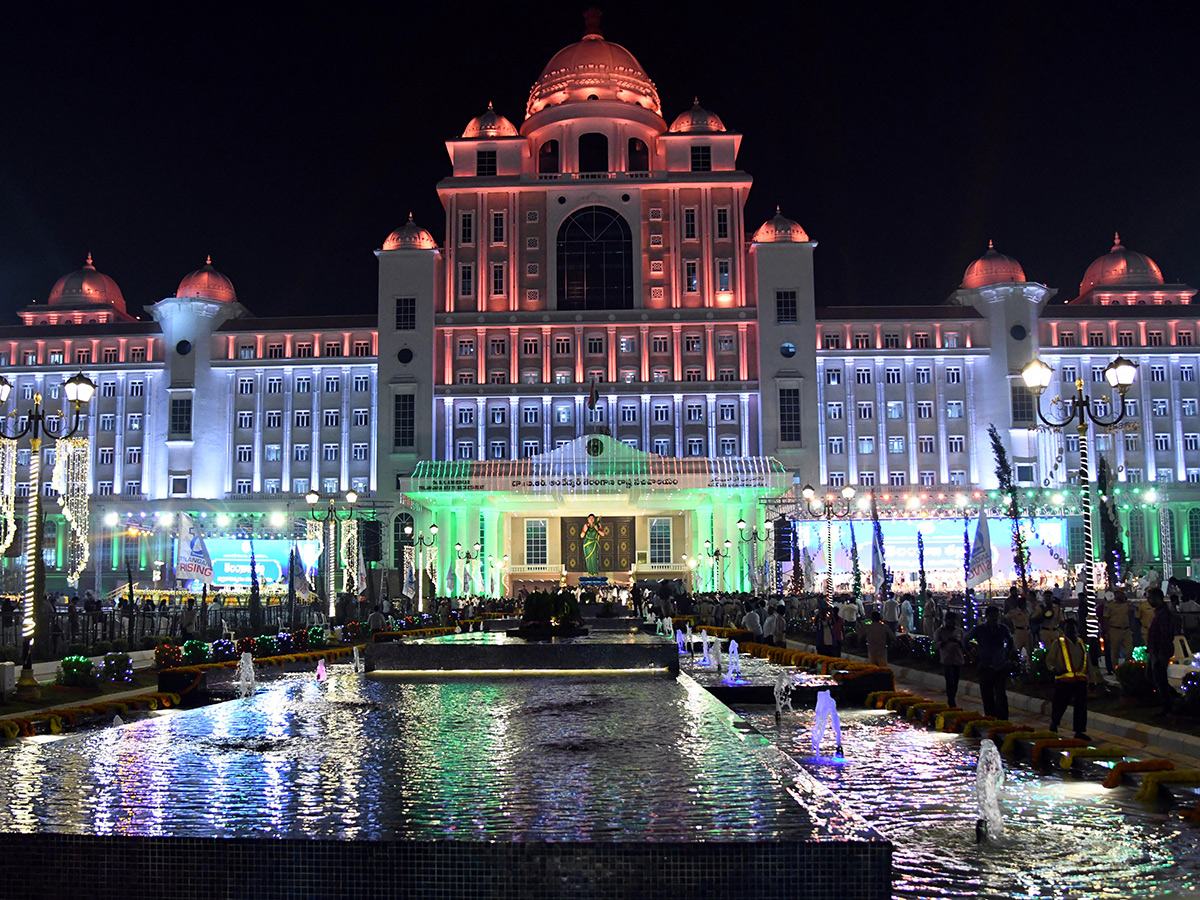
106,868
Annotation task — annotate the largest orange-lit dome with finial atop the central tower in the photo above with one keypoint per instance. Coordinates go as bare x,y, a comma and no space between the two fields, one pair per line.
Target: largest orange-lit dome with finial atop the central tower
593,69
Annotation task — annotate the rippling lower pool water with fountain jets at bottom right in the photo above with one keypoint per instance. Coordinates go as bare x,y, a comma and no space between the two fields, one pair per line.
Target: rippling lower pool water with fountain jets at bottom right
1064,838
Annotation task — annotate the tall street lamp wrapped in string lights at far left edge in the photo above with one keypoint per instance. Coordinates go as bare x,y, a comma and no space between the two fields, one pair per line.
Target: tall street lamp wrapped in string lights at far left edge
79,391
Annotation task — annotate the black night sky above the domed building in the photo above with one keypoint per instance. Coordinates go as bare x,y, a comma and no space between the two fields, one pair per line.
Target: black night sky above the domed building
290,141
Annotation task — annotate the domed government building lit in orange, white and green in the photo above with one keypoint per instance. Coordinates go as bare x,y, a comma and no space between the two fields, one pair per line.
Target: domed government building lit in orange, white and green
602,333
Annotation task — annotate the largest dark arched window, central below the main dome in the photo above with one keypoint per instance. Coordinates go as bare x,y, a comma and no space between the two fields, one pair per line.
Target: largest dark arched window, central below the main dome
596,261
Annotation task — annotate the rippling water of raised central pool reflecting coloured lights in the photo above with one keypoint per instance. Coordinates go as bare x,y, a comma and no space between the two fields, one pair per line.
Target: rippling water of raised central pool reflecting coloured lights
531,759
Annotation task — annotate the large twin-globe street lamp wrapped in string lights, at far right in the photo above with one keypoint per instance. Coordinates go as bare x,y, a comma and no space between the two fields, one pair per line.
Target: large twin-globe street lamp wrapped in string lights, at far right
1120,374
